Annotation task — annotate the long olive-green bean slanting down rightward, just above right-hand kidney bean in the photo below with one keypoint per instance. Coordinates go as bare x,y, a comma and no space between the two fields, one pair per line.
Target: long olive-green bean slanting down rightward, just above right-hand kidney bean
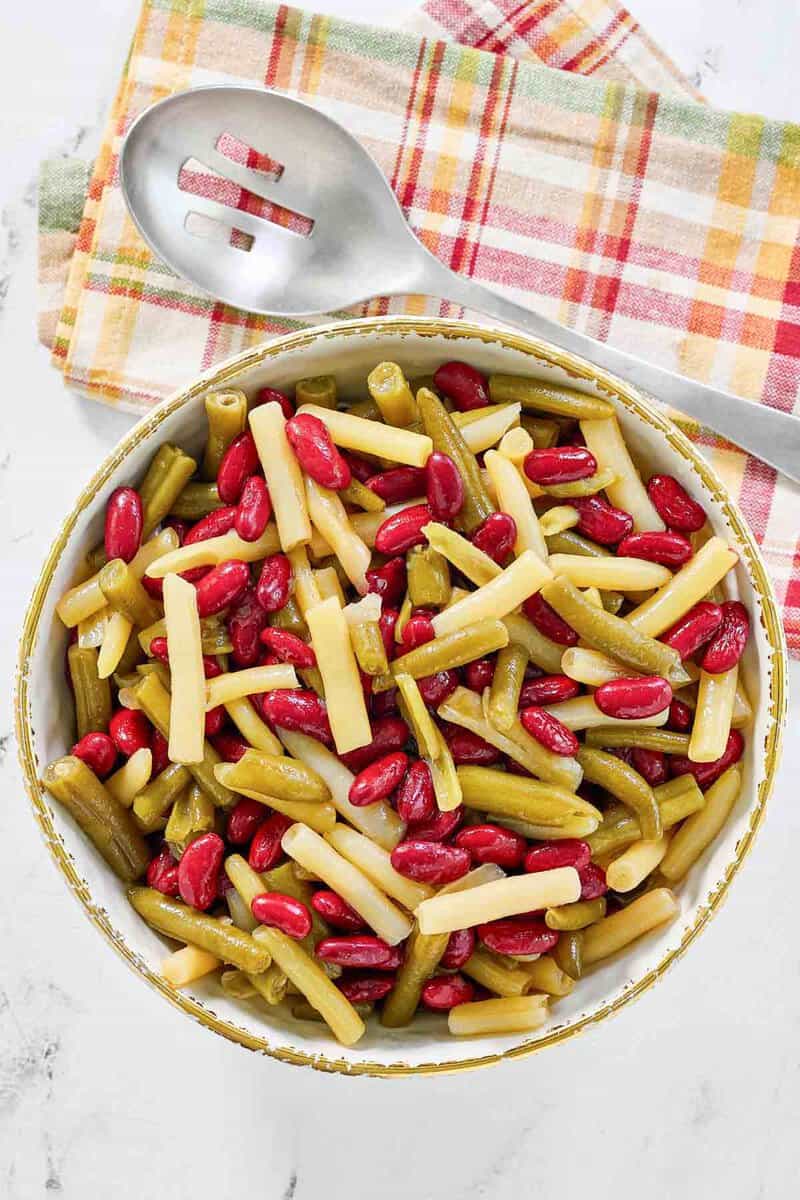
612,635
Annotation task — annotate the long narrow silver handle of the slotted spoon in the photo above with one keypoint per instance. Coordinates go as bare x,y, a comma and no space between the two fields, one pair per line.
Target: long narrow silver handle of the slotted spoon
771,435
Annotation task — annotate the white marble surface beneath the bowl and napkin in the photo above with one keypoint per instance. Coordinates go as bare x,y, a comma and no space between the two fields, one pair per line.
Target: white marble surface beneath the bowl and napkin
107,1091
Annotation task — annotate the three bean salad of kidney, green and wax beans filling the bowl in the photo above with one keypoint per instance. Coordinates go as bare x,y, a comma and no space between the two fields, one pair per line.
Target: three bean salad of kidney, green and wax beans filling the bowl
424,701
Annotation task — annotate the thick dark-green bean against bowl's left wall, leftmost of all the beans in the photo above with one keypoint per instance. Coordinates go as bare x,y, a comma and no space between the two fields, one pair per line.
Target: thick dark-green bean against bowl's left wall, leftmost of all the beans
105,821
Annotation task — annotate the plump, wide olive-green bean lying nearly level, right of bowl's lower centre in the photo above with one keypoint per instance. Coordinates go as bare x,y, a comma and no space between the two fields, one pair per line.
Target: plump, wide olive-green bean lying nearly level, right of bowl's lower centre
544,805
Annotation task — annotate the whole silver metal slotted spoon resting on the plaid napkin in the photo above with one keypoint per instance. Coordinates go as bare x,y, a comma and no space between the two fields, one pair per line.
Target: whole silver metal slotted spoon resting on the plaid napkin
360,245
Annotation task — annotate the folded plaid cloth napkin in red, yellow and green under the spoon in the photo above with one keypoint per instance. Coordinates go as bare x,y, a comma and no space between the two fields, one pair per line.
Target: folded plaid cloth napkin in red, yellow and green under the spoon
601,194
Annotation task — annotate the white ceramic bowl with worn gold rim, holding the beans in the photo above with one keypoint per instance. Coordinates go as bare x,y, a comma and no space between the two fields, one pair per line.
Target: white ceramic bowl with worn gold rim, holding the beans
350,351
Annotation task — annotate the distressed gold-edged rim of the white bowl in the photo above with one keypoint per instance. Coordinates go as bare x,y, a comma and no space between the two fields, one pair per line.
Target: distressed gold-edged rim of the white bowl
775,704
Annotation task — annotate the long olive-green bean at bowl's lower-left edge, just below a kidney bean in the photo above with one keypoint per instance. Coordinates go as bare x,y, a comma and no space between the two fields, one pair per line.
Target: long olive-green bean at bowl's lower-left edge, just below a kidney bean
185,925
